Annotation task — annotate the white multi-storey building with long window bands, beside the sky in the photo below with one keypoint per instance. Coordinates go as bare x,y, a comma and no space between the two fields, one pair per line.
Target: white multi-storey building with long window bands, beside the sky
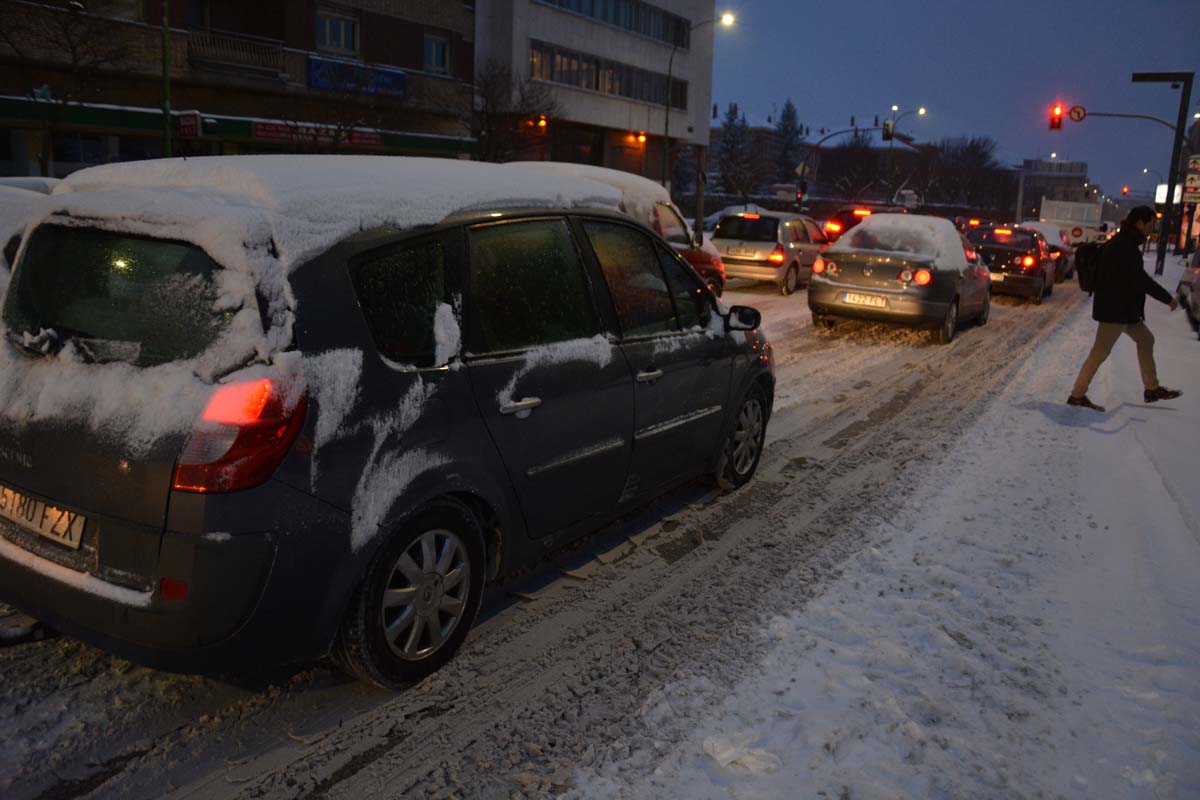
611,68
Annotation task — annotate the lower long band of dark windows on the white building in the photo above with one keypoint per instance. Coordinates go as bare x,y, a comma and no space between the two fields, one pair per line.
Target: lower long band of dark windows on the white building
560,65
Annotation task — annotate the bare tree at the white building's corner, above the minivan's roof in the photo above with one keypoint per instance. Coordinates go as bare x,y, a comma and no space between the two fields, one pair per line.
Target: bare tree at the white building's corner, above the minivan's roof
505,105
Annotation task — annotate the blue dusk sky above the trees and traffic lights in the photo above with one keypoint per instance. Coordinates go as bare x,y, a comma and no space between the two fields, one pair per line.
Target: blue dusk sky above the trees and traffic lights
981,69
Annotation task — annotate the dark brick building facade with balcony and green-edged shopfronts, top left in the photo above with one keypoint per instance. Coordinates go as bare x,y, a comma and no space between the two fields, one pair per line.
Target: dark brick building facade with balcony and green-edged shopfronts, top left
83,83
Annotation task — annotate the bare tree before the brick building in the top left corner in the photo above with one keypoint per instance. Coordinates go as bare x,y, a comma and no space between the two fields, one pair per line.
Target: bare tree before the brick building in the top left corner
67,52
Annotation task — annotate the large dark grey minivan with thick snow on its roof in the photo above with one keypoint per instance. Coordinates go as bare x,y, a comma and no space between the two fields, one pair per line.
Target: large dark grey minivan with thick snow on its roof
261,410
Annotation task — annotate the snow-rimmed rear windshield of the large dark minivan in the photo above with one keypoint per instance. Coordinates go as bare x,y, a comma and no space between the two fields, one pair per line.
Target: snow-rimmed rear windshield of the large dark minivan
117,298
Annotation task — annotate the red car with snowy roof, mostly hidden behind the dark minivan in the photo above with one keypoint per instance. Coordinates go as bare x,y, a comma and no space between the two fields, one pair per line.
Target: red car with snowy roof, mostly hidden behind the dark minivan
650,204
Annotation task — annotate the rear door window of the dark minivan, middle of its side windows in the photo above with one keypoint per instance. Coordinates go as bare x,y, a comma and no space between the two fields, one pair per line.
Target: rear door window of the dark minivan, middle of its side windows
527,286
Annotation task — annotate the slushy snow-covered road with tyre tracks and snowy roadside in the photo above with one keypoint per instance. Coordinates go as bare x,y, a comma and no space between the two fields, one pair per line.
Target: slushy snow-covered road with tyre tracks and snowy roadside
922,594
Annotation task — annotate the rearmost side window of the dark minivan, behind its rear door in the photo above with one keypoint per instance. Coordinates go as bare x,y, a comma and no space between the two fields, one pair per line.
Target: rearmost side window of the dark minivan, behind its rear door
400,291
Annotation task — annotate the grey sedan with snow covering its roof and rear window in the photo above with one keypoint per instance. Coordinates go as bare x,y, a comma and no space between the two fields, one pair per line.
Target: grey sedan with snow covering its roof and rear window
904,269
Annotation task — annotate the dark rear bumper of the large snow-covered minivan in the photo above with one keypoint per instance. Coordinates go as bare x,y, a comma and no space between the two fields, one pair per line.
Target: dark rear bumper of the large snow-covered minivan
254,600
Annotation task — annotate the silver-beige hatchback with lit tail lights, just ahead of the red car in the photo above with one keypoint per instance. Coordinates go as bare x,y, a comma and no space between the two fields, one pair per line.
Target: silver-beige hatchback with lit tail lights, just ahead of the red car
778,246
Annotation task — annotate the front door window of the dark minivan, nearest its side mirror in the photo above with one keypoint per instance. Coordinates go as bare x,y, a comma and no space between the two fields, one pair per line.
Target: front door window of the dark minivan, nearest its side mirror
635,280
